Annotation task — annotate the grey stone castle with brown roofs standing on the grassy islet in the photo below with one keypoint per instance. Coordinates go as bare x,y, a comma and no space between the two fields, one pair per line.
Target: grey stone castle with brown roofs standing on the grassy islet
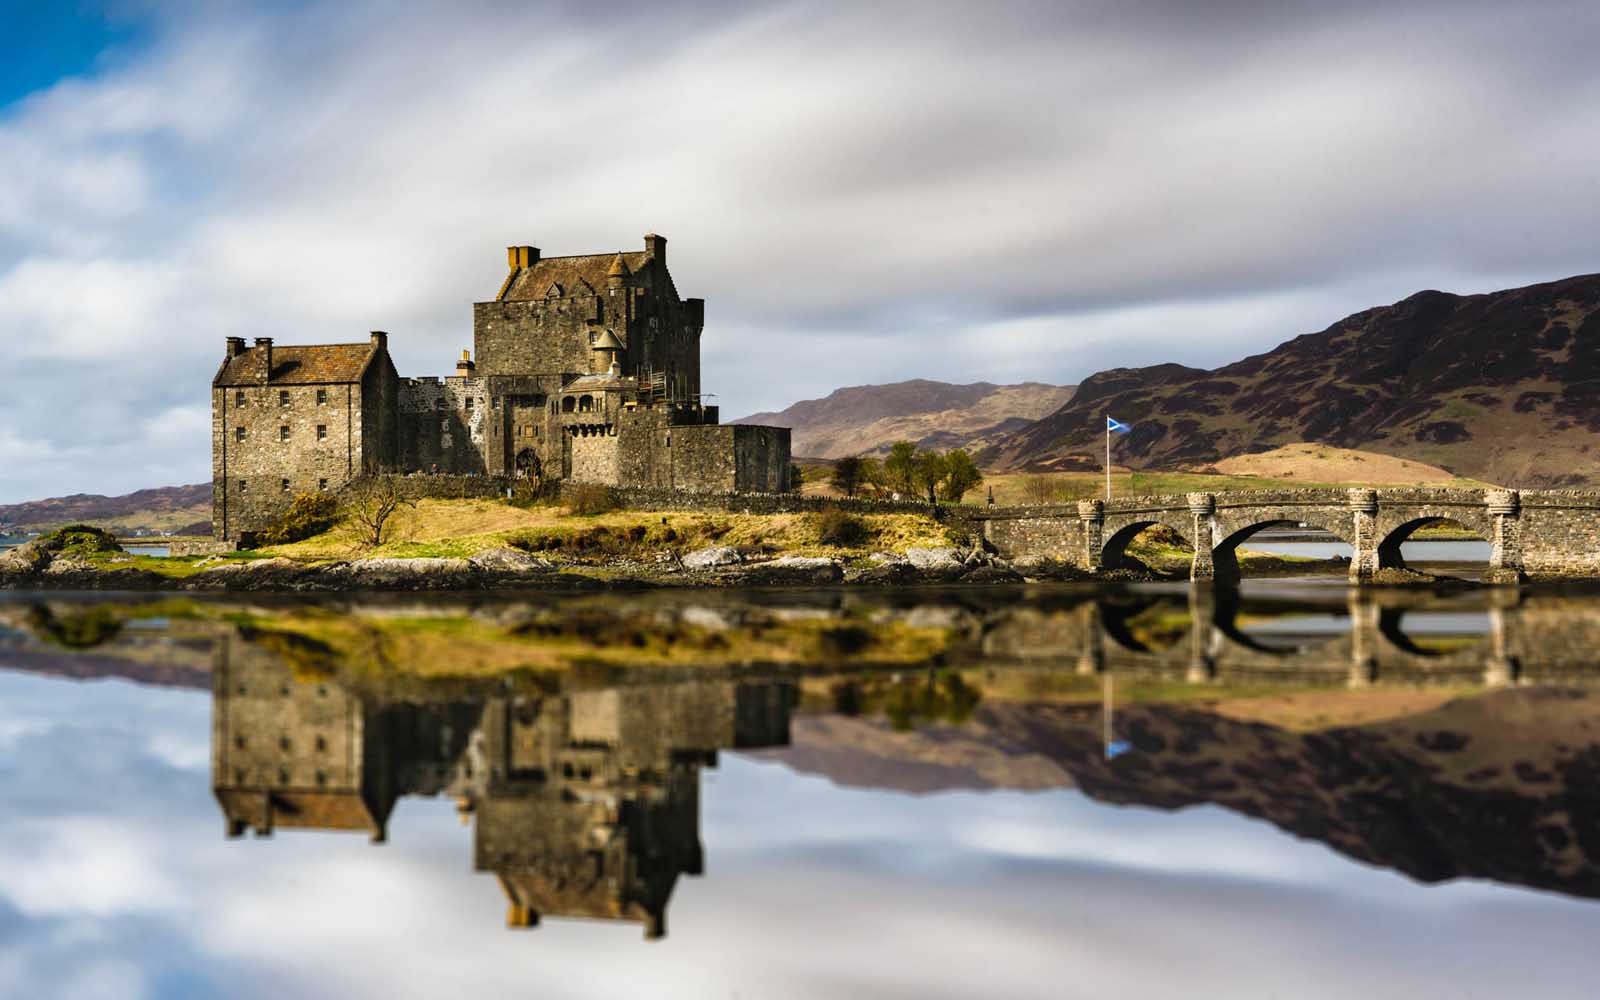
583,369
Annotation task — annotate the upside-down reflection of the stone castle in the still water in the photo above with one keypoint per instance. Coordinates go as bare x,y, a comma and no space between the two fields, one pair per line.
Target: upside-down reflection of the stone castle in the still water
582,804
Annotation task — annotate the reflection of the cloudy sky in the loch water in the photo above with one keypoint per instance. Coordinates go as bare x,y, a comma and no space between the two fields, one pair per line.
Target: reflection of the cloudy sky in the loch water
118,882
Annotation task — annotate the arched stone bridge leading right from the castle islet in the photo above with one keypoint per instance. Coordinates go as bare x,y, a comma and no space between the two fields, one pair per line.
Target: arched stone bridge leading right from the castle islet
1534,535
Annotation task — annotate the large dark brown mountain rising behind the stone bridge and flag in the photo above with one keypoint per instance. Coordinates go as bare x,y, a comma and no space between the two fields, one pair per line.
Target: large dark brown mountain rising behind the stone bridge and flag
1500,388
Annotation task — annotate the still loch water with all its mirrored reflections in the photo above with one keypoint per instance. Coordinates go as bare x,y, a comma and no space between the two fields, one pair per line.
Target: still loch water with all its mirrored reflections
1289,791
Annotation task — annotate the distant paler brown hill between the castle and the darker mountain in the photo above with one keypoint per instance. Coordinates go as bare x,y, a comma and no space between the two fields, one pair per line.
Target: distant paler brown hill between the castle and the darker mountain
935,415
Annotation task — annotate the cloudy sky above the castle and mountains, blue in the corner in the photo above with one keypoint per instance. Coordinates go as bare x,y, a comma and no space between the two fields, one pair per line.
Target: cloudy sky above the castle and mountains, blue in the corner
863,193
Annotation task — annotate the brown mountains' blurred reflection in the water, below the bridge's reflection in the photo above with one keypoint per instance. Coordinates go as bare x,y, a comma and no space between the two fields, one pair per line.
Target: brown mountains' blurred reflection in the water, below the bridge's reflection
1497,786
